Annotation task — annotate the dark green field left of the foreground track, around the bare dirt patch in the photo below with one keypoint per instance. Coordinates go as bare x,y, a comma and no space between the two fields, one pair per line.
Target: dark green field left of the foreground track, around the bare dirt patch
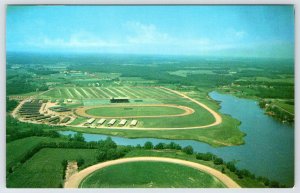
44,169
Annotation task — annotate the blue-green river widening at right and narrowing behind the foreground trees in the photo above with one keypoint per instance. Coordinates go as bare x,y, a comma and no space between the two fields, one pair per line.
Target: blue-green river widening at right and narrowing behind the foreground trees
268,149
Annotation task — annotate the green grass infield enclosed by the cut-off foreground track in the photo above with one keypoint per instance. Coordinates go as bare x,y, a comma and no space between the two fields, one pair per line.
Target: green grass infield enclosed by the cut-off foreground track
150,175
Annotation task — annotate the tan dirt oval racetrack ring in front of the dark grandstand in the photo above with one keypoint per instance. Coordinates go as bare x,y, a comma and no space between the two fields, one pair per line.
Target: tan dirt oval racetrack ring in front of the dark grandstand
82,111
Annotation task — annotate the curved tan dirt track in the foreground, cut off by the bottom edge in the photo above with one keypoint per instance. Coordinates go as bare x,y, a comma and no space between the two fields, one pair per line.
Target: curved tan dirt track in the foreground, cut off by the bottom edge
74,180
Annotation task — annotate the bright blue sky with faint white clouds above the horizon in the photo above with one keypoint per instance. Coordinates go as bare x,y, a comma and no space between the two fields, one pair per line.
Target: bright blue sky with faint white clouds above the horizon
246,31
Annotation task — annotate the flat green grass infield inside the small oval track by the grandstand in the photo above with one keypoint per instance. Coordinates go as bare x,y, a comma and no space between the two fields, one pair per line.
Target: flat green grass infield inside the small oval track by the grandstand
134,111
